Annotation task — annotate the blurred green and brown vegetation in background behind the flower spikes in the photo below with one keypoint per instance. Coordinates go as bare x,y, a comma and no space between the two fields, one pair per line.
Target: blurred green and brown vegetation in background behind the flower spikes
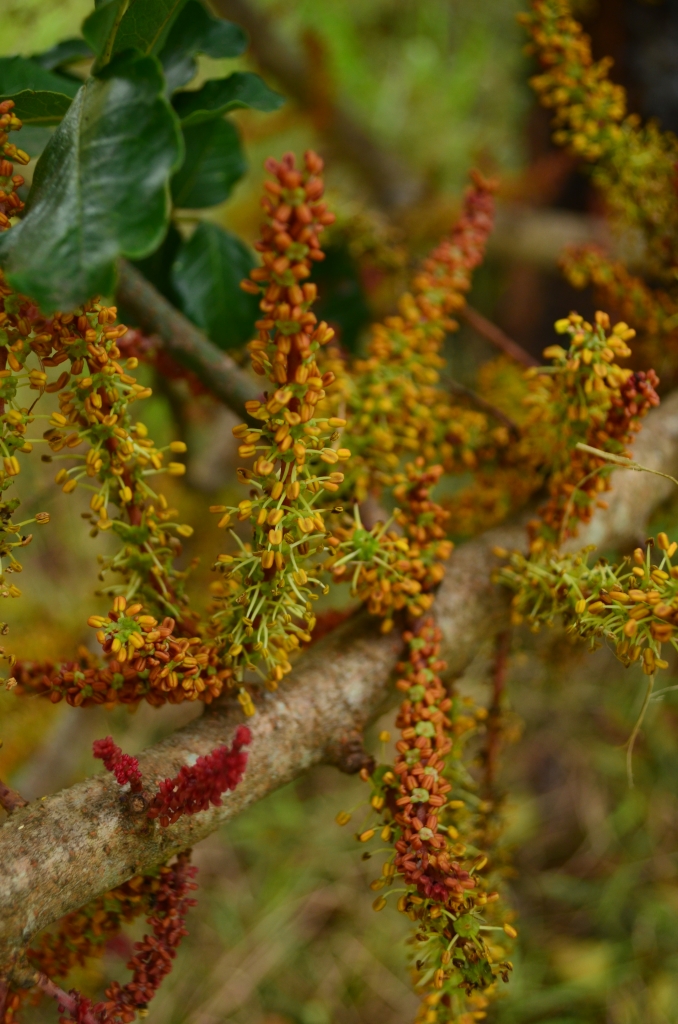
284,932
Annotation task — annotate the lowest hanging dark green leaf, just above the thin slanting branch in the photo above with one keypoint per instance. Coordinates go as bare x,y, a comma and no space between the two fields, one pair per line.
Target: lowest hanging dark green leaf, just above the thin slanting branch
207,276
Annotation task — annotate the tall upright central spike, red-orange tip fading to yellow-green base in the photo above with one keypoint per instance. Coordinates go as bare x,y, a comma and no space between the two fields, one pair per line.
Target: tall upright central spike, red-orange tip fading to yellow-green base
264,606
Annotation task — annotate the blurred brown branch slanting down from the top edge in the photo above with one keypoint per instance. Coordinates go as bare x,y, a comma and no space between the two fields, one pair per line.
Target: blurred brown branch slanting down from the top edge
394,187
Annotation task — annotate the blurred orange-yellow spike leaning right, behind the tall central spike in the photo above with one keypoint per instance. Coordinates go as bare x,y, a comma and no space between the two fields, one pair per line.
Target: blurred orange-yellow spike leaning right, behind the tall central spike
394,400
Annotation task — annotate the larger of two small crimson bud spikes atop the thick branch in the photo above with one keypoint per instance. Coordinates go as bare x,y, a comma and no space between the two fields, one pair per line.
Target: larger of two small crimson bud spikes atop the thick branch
197,787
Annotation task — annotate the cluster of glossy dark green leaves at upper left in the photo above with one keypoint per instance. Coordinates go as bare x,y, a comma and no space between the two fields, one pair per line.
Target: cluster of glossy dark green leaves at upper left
128,146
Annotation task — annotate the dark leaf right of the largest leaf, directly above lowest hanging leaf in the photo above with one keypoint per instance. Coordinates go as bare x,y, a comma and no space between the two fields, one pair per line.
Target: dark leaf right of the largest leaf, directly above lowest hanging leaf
215,162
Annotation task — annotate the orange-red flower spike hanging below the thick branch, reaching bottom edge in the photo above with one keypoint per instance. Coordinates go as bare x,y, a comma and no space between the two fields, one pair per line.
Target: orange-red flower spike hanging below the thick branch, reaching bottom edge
428,813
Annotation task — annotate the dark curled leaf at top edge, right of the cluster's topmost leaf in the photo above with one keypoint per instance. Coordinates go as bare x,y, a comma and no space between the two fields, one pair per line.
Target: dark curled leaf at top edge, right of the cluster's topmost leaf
197,31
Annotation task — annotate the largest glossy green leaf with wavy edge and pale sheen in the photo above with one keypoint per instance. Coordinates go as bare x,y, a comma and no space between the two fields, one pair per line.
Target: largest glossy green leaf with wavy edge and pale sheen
101,189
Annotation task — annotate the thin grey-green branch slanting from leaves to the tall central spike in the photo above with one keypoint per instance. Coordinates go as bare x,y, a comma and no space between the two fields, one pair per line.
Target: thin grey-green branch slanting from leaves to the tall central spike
184,340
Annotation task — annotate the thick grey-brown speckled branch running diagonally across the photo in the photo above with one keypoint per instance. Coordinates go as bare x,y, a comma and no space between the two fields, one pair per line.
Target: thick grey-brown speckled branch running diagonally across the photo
60,854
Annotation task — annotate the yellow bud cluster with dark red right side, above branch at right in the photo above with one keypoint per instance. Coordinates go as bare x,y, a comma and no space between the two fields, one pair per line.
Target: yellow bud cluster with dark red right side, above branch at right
584,397
